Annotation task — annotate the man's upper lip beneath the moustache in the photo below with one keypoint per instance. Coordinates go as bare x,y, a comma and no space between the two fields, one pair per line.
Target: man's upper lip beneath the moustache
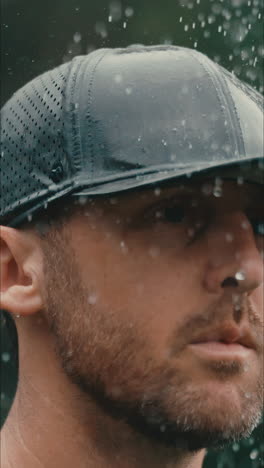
228,335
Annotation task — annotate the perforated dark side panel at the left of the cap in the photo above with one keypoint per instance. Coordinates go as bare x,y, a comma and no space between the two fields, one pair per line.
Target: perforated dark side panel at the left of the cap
32,154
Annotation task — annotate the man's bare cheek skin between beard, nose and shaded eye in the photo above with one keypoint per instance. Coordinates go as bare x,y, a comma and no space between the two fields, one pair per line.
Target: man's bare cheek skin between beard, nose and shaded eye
143,280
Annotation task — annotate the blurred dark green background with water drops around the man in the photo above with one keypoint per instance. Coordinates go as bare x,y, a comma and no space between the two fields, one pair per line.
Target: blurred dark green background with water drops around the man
37,35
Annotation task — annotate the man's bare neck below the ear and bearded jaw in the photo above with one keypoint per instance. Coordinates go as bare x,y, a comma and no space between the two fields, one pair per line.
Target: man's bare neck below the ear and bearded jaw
52,423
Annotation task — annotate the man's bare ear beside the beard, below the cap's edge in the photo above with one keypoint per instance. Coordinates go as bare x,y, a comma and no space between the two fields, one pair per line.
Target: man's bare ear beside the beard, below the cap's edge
20,271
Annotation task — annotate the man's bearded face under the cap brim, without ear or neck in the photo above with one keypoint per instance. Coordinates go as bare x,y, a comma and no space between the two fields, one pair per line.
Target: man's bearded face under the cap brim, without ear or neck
139,278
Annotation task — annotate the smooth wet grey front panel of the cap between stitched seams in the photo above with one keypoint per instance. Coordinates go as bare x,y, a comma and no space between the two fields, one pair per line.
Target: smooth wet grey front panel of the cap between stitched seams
149,109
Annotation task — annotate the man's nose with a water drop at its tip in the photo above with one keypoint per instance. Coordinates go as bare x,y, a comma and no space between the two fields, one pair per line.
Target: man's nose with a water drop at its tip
233,259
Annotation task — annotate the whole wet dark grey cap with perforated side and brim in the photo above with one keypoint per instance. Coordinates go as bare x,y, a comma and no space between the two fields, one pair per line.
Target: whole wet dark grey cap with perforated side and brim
118,119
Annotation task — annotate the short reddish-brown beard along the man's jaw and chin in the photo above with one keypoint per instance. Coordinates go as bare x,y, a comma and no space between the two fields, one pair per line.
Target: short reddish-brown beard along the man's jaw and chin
110,361
